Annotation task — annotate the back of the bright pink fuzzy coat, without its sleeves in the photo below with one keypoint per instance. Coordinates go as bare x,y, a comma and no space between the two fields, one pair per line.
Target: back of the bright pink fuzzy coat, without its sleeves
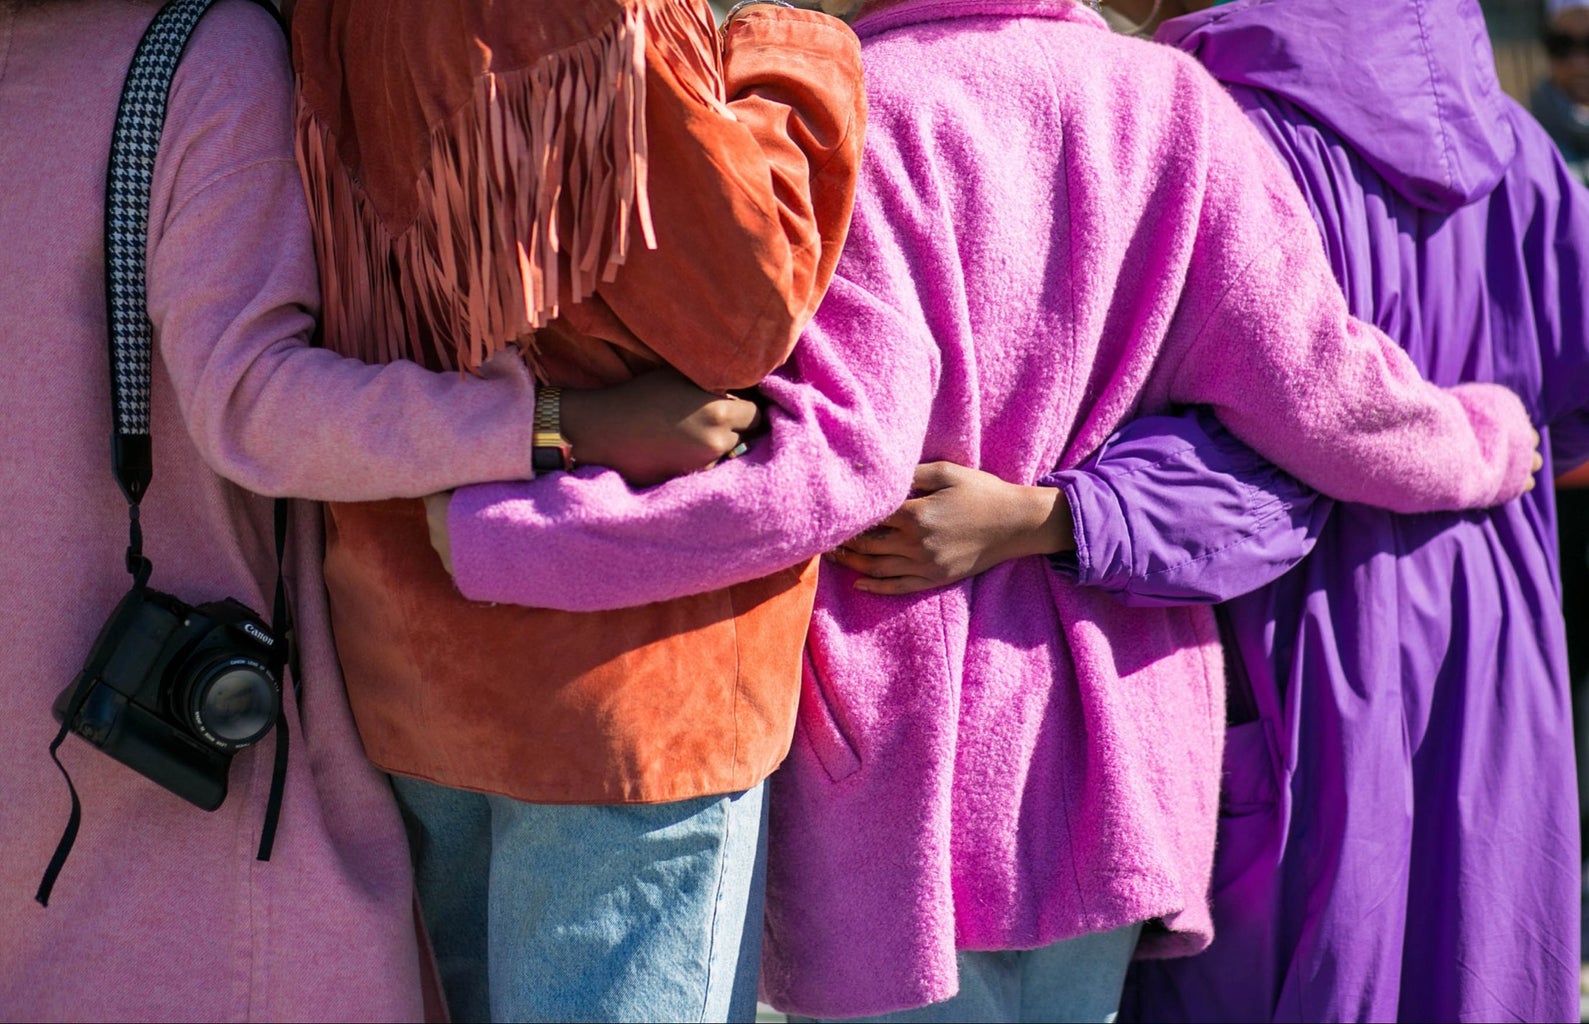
967,223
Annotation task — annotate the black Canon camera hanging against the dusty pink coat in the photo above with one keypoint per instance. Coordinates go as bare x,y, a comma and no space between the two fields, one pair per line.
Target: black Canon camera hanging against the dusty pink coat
174,691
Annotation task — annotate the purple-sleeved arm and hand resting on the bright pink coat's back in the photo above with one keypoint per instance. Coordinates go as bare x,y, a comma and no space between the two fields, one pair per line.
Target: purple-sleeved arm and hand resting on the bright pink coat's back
1170,511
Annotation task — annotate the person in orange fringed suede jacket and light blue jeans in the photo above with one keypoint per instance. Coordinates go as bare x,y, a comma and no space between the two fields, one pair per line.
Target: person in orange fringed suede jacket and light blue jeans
622,195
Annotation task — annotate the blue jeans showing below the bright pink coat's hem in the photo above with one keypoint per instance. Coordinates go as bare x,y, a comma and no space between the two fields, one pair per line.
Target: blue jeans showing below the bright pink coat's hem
1075,980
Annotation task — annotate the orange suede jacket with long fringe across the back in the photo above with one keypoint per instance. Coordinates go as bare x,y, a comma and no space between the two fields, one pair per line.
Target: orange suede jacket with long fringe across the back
608,187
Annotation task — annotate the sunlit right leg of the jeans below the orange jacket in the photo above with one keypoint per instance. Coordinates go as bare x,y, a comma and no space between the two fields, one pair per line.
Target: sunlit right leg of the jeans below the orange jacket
627,913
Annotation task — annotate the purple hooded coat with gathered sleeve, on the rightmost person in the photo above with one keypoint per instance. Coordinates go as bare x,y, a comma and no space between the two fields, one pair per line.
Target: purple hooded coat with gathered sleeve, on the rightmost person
1399,834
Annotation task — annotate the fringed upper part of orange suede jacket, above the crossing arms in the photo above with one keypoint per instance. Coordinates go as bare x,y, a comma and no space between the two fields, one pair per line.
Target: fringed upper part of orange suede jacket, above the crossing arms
721,187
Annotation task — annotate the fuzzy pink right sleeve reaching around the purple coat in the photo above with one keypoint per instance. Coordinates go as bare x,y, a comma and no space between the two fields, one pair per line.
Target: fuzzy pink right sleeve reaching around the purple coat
1264,338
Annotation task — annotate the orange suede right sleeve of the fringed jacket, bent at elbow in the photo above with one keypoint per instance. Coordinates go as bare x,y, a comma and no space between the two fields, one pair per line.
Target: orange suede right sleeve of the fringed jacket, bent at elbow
751,182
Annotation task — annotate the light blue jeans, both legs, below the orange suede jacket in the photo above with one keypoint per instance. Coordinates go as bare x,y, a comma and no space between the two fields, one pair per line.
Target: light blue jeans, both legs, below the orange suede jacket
590,913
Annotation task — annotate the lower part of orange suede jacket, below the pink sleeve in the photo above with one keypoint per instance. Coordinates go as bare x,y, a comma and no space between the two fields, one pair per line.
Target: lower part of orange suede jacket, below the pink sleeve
654,704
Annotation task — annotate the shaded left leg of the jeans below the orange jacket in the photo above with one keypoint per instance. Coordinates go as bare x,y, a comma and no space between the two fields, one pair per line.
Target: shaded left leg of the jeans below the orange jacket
450,842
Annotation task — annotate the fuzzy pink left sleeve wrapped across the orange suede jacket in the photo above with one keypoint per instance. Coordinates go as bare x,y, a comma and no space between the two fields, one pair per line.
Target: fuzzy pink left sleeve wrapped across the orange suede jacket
846,424
